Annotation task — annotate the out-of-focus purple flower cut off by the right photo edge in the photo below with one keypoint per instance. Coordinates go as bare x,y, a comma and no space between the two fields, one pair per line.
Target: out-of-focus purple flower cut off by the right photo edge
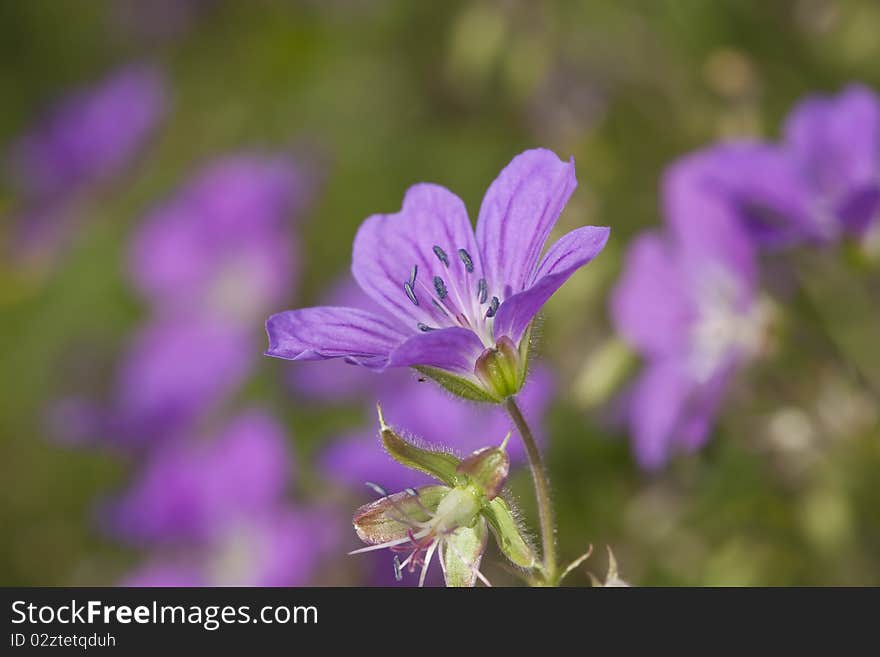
823,181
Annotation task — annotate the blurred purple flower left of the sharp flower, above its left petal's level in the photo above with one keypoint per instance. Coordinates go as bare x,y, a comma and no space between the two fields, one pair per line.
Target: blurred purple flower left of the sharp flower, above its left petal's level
222,245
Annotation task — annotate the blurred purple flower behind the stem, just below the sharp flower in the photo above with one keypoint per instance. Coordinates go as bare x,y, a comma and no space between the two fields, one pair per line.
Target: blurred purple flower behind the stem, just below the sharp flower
434,416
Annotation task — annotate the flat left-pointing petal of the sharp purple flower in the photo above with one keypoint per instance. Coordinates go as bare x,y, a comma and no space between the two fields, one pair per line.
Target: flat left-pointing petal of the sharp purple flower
332,332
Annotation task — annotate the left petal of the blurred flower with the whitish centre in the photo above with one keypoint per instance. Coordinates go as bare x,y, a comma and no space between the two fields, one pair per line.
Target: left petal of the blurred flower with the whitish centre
651,305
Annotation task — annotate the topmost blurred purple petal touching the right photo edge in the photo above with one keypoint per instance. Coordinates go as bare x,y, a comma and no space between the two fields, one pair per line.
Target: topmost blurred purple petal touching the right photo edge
836,140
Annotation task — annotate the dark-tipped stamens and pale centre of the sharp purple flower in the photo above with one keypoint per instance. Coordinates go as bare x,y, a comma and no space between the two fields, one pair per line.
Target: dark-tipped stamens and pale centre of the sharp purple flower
457,298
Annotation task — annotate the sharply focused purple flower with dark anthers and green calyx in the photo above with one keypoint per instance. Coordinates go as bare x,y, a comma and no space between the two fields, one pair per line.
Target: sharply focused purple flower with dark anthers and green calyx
454,303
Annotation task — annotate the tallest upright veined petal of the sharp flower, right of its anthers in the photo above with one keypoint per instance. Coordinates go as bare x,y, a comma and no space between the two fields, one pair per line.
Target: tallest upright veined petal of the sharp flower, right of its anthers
517,214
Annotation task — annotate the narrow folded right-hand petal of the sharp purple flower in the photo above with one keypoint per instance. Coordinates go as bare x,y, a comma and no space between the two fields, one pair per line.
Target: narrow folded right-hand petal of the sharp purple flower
571,252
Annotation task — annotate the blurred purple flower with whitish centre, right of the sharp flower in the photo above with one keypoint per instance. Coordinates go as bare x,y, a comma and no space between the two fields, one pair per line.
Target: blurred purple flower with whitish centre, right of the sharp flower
687,303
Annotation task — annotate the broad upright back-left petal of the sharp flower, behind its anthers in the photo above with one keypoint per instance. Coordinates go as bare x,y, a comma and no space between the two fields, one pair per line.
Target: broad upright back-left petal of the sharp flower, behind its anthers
388,247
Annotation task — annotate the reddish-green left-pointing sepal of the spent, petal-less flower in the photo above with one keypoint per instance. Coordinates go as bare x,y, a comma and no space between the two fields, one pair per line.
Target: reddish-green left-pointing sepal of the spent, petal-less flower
384,519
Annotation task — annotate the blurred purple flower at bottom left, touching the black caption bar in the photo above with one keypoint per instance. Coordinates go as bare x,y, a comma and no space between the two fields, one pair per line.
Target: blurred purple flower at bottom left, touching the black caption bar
215,512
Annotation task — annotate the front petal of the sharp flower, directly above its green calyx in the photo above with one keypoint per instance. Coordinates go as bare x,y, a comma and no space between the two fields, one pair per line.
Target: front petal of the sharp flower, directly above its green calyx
452,349
